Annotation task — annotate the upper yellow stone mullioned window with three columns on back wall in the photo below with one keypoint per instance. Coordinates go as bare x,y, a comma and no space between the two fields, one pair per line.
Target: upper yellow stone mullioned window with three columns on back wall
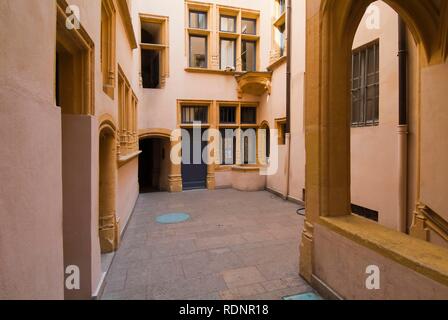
215,35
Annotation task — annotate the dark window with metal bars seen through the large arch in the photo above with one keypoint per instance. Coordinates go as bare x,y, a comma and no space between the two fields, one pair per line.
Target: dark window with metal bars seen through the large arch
365,86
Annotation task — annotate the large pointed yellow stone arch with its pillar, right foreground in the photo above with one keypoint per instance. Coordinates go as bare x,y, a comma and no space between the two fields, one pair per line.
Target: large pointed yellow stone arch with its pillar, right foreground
332,26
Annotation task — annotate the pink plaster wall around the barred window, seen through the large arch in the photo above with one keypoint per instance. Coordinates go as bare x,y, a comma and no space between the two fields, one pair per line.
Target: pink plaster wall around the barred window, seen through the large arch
374,150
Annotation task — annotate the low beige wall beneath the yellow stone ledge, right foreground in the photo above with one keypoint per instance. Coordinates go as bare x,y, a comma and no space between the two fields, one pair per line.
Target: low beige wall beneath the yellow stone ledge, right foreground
341,264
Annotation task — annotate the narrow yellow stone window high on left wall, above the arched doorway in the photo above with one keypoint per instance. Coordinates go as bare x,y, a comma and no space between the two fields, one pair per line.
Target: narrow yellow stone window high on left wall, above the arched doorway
108,46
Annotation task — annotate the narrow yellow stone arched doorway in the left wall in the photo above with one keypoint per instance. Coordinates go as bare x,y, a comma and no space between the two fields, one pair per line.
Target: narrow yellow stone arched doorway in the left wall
107,221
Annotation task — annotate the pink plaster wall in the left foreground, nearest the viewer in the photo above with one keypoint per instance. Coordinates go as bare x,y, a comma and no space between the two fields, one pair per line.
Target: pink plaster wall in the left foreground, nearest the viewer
31,258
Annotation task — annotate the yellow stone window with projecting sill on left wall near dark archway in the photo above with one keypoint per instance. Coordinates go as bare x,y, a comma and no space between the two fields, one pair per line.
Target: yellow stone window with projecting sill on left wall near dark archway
127,115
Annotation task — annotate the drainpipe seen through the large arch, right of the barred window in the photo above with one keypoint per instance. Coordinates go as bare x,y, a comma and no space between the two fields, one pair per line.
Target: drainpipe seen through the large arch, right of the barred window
403,127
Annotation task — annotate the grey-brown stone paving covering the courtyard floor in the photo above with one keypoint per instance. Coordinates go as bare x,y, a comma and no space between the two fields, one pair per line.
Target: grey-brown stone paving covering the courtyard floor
236,246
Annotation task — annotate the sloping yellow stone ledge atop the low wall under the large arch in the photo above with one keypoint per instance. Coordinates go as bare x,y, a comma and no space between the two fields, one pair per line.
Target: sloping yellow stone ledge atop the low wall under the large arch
420,256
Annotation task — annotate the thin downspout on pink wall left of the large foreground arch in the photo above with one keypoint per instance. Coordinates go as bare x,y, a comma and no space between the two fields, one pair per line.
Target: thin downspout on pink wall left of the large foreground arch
288,92
